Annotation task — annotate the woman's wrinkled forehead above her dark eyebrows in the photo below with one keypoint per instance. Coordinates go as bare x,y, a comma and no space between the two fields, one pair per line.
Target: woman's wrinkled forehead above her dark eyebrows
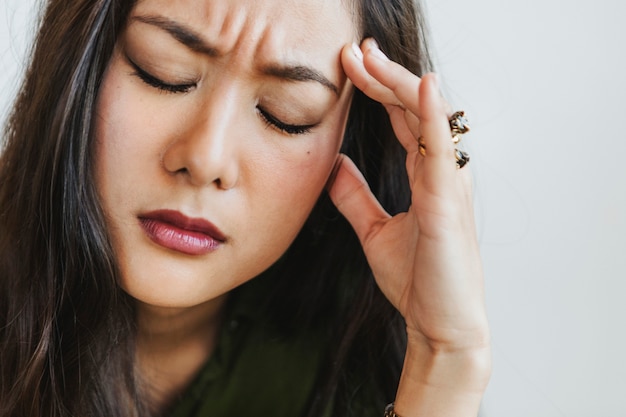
287,29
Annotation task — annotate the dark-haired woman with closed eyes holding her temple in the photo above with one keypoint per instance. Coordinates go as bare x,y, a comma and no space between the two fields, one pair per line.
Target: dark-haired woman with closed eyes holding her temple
162,154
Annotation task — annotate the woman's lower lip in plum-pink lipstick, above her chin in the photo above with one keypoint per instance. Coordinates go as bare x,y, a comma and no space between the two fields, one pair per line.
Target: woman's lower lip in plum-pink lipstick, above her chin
177,239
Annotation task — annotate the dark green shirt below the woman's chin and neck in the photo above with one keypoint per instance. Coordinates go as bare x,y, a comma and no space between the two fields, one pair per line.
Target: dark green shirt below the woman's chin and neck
254,371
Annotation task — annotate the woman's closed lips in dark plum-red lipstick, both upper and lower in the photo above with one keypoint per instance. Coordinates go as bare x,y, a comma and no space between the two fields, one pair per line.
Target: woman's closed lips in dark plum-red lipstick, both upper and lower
173,230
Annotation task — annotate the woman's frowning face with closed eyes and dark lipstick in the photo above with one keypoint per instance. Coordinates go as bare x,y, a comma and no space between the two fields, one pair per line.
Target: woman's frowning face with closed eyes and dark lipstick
218,124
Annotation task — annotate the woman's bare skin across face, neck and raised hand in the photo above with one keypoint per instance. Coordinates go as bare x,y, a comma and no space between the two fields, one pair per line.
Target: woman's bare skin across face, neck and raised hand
208,152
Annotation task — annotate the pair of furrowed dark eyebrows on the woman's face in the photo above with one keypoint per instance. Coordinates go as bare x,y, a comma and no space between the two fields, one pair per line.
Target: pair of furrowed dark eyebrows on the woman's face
194,41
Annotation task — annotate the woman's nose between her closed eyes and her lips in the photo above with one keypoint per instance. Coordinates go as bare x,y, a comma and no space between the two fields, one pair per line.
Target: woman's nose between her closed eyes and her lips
205,151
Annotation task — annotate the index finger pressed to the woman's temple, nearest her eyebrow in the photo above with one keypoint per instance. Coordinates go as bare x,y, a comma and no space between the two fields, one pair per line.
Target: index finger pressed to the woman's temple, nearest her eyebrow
352,61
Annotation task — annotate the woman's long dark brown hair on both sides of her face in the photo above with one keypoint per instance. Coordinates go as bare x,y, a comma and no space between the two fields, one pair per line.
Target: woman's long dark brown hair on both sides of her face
67,329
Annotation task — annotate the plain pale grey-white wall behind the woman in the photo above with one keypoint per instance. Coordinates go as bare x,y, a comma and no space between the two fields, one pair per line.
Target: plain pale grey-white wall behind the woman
543,82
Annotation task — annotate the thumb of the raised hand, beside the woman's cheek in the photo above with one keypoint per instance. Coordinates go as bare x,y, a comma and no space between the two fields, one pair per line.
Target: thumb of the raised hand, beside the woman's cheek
353,198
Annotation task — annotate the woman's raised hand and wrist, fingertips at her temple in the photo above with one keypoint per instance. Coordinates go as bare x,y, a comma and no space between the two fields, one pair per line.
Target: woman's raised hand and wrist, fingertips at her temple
426,261
